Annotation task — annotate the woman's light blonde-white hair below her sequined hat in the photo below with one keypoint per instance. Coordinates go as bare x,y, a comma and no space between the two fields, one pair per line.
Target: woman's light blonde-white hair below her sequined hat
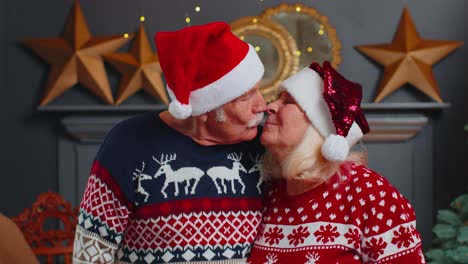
307,162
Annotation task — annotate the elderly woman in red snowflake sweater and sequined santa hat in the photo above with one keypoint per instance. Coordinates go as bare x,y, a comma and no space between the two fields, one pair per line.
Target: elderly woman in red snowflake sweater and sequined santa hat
323,205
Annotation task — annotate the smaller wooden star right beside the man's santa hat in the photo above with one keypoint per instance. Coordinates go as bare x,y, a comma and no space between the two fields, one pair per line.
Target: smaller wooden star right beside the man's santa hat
140,69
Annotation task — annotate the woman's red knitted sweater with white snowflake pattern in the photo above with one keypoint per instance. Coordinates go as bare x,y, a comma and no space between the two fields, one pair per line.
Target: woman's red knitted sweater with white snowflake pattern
361,220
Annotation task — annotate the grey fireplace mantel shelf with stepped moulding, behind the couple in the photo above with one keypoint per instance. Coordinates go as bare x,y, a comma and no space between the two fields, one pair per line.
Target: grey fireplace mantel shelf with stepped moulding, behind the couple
387,121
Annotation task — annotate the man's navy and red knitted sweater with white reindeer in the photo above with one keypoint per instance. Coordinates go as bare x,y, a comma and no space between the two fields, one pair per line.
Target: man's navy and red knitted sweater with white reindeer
156,196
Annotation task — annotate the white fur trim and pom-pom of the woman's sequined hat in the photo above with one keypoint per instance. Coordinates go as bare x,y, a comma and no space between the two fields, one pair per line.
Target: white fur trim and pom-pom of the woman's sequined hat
306,87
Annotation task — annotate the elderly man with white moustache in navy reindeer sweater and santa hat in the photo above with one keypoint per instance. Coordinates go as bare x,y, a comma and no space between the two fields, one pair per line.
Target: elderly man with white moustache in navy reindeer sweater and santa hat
180,185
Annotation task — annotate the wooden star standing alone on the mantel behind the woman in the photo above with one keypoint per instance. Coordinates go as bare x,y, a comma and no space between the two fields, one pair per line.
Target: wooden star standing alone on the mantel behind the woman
409,59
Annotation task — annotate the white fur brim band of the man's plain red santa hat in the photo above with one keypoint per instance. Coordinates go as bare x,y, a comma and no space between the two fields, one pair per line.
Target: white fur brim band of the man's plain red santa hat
236,82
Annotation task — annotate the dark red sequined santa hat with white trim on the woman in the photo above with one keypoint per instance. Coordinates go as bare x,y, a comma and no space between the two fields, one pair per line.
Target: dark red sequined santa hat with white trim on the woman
332,104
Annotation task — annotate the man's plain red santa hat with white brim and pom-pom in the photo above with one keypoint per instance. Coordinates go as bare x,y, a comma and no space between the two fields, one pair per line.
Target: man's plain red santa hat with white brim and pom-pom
205,67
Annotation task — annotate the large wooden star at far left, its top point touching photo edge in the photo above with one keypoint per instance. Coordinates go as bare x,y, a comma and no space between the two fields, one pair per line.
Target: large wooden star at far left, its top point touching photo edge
76,58
